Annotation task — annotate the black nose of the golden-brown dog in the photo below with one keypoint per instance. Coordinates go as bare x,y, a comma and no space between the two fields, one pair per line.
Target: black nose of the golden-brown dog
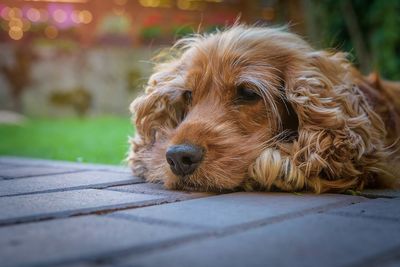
184,159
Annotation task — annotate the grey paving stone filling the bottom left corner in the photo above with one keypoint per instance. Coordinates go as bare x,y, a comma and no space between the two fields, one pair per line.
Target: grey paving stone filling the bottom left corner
67,240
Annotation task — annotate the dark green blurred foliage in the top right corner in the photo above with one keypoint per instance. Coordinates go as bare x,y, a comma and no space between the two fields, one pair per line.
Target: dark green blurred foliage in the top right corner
375,25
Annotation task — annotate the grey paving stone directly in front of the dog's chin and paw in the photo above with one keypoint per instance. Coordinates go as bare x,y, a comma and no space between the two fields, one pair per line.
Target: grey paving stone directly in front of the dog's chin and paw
237,208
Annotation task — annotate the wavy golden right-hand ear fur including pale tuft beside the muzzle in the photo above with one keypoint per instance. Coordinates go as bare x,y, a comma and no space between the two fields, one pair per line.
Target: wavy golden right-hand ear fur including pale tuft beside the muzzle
339,133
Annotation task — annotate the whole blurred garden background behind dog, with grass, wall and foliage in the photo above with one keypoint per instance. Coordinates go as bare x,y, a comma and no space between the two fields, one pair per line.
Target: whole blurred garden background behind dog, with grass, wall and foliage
70,68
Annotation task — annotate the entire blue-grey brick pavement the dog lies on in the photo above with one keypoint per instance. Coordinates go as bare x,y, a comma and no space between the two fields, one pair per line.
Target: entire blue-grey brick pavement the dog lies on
69,214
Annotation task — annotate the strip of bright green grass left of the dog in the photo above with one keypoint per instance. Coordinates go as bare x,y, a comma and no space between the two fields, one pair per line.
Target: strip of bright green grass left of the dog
97,140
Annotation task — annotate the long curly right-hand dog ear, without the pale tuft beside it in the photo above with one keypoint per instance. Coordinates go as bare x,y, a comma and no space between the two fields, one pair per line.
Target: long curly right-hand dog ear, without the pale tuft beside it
339,134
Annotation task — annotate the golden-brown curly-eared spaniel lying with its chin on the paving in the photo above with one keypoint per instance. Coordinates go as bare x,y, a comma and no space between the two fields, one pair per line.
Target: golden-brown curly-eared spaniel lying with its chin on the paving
257,108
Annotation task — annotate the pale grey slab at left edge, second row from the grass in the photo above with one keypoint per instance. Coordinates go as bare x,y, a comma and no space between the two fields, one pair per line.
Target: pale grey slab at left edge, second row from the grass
85,179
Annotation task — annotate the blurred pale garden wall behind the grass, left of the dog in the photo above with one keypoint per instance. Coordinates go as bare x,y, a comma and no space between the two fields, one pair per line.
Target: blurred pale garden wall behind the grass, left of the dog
69,81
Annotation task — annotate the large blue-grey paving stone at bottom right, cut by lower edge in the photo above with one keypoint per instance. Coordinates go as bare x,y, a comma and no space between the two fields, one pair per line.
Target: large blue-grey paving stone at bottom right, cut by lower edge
314,240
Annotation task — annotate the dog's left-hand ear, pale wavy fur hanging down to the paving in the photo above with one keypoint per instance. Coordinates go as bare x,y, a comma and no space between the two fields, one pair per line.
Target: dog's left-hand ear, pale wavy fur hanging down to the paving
160,109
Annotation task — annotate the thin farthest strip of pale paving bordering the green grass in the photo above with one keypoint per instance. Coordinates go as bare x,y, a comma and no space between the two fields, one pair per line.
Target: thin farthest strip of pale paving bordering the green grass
20,161
